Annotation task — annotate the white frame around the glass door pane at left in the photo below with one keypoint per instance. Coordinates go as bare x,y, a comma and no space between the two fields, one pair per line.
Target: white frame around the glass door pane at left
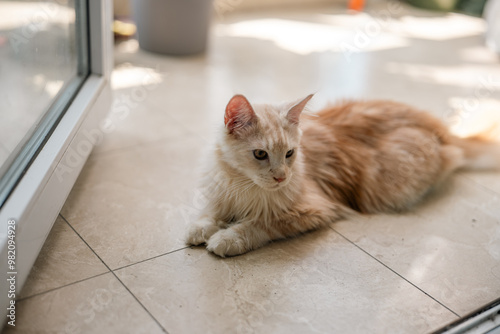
39,196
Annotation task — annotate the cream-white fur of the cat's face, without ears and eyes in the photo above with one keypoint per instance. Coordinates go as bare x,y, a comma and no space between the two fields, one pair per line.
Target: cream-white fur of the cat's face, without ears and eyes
272,132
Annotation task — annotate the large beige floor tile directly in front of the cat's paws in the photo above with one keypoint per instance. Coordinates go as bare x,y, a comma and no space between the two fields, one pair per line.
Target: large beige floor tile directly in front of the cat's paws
318,283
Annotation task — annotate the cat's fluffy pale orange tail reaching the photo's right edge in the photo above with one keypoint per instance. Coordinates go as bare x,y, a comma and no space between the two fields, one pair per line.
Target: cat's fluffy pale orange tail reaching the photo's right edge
480,152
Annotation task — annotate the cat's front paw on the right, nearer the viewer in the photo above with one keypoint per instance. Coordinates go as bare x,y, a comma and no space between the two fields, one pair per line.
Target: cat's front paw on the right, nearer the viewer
226,243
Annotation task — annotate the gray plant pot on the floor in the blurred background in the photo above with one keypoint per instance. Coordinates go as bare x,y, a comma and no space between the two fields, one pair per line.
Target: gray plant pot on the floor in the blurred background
175,27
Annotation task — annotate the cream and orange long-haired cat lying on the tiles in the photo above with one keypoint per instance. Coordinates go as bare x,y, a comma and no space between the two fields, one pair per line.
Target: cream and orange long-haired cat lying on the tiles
278,172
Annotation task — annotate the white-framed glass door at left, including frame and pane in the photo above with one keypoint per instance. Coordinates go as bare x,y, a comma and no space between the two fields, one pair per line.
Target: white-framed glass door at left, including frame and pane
56,58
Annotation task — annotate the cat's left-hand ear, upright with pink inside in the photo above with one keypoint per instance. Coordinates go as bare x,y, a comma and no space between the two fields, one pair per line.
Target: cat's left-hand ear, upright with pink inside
239,114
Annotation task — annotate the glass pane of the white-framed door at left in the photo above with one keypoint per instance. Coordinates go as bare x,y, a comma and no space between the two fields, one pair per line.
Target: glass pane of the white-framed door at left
43,61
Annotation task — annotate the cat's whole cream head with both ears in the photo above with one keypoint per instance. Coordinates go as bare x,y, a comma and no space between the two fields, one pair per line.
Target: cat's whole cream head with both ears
262,142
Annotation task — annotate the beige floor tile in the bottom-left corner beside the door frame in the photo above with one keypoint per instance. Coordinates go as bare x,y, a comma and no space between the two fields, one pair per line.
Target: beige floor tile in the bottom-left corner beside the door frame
98,305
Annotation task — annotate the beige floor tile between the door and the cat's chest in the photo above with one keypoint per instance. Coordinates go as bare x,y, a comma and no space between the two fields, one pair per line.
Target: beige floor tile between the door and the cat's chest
134,204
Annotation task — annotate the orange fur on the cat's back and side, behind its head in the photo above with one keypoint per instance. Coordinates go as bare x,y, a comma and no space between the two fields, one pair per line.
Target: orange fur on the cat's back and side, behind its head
377,155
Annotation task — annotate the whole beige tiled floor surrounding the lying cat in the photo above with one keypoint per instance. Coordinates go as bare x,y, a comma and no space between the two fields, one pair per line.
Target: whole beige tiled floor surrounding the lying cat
115,261
